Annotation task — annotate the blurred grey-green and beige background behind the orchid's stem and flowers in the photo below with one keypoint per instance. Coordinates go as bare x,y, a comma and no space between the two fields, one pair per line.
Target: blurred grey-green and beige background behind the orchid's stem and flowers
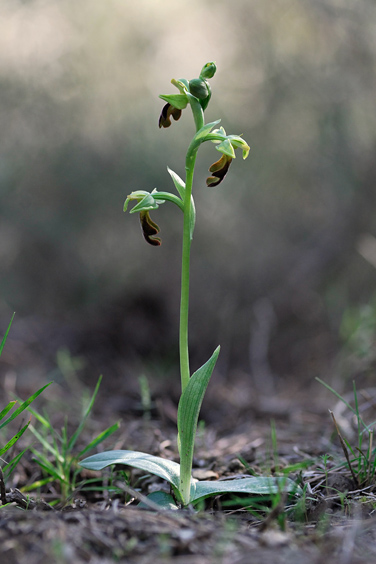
284,253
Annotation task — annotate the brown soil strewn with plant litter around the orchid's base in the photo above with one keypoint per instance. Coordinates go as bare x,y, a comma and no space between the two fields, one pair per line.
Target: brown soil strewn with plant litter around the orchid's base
336,522
